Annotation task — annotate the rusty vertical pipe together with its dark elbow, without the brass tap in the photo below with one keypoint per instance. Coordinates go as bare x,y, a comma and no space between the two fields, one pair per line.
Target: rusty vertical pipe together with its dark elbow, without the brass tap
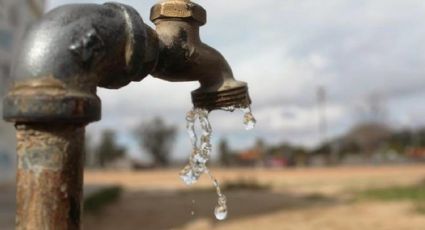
64,57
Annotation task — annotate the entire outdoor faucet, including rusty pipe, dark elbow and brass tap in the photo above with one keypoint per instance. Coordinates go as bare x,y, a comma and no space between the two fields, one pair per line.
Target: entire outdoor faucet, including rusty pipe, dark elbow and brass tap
64,57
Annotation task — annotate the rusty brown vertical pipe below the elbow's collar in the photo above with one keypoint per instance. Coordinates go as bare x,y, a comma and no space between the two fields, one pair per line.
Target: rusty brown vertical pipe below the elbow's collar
49,176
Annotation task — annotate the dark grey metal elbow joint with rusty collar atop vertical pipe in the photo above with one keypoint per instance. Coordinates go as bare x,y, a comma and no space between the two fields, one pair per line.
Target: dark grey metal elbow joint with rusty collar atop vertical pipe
68,53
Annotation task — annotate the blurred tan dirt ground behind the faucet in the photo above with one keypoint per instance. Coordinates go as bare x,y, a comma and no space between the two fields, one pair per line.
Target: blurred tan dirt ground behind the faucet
299,199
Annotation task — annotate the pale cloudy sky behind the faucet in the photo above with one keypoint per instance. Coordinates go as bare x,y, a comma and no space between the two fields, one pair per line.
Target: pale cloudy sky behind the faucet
285,50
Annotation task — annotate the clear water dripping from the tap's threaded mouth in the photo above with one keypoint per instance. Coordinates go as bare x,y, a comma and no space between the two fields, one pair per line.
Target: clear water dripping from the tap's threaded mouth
201,152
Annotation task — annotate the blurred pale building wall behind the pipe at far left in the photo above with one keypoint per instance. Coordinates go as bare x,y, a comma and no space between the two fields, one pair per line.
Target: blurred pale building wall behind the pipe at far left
15,17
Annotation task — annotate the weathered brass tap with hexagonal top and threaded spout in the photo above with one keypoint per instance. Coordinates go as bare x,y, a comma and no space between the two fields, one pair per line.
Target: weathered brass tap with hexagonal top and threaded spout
184,57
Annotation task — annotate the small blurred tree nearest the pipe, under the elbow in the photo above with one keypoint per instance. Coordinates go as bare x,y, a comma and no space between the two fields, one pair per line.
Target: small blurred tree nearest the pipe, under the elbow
108,150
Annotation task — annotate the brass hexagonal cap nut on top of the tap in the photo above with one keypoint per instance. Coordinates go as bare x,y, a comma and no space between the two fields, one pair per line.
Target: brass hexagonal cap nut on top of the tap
184,9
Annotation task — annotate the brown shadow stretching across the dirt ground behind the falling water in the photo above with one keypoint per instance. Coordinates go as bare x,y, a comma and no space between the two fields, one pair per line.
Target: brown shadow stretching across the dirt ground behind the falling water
171,210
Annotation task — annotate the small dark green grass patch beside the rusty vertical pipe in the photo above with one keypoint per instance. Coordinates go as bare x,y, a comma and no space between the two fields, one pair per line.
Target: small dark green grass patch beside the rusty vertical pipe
101,198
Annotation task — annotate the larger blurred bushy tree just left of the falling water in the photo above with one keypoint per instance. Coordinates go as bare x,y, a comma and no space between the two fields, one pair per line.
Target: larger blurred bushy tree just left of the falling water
157,138
